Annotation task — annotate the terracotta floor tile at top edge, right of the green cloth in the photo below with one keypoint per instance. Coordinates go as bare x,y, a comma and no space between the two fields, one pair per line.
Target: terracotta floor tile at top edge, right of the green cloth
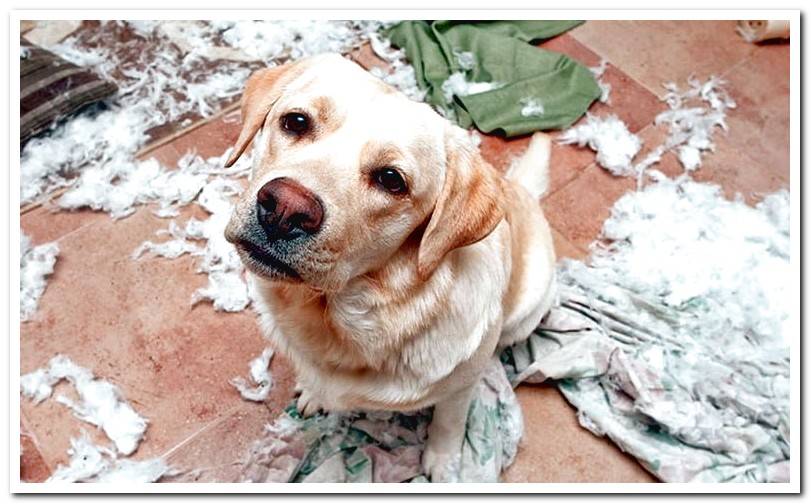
653,52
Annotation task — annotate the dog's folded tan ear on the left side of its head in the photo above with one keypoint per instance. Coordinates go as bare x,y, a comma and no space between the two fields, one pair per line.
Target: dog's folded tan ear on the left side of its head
262,90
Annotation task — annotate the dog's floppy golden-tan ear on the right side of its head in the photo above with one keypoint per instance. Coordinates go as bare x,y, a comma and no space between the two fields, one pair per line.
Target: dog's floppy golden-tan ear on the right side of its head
469,206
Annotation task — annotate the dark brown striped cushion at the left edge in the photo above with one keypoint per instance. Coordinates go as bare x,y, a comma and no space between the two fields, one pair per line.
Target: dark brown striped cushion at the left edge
52,89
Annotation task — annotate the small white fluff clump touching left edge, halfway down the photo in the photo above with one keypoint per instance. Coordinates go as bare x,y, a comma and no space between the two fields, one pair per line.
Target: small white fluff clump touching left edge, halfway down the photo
36,263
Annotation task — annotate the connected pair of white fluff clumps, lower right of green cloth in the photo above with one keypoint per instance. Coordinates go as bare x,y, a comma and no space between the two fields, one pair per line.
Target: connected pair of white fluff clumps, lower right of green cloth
692,118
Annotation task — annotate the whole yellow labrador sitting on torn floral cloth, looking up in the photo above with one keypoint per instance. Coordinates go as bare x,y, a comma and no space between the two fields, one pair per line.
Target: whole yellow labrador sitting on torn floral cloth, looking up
391,261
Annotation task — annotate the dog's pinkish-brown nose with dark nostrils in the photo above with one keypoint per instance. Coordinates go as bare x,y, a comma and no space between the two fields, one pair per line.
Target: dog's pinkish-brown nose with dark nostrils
286,209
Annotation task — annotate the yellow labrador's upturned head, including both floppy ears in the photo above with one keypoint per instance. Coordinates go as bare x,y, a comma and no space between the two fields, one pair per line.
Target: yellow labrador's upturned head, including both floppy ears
346,169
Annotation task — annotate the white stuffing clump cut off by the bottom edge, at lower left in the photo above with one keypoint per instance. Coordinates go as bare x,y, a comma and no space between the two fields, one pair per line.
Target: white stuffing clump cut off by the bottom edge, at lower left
90,463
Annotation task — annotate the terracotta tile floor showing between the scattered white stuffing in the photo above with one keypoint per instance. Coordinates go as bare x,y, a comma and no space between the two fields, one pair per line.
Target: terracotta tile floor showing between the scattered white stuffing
131,322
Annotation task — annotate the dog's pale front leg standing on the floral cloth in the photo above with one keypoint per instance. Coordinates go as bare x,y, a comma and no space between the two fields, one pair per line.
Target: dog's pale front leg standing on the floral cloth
441,459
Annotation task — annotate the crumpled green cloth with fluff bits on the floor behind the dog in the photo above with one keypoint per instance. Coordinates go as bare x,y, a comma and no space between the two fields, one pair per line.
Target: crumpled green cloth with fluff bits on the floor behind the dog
503,55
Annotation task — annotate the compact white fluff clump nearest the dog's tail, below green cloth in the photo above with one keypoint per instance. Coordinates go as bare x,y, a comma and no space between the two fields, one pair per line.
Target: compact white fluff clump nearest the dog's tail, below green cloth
610,138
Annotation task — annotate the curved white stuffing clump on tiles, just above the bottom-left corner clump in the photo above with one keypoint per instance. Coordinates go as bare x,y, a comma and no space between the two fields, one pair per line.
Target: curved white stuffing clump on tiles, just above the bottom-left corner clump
100,402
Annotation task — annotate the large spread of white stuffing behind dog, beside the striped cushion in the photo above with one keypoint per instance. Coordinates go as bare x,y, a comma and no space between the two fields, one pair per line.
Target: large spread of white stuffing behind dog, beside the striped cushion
176,81
